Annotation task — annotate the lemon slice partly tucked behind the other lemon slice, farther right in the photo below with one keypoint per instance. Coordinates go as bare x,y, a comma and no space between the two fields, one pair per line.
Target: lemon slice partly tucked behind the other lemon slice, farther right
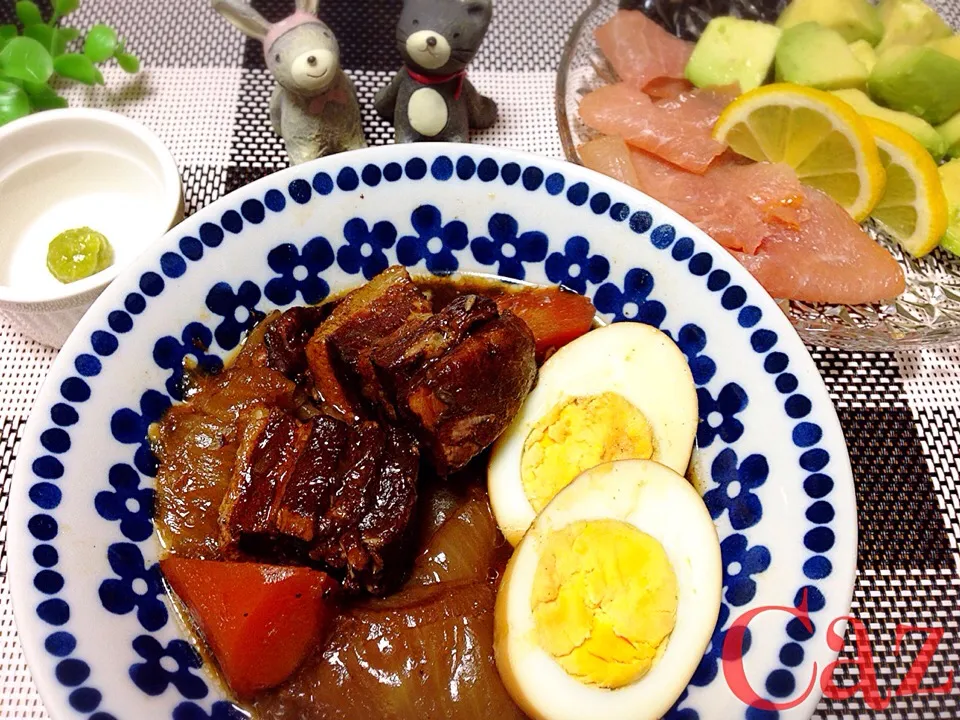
913,208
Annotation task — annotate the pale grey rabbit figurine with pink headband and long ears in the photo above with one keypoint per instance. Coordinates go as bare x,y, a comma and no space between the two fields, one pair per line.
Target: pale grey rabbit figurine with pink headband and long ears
314,104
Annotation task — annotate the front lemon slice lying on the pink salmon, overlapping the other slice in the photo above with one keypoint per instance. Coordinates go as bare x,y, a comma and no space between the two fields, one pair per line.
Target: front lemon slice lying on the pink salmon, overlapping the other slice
822,138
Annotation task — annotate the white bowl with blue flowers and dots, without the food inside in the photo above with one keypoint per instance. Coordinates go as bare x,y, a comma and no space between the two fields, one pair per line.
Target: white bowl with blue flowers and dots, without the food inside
99,633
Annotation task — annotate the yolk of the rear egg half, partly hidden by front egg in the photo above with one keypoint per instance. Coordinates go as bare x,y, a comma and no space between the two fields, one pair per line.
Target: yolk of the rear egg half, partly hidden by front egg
577,435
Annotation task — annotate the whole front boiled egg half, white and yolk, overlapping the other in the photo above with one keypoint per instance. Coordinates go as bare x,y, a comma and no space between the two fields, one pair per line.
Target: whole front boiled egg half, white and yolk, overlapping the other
611,598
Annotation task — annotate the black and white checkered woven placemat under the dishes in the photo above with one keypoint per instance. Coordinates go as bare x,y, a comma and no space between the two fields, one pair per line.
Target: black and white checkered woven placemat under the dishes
205,91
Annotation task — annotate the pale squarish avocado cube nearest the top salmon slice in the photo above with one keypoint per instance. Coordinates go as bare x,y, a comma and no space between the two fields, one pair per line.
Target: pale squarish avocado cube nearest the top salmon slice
733,50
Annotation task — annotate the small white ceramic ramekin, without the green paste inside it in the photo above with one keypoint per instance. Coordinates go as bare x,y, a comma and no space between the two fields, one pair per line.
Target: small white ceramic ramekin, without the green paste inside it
72,168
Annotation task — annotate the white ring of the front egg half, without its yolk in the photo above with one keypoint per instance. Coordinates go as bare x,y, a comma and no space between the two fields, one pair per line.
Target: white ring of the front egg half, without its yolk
657,501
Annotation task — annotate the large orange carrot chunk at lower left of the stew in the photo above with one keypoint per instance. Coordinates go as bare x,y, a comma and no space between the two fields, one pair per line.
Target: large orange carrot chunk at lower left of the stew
260,621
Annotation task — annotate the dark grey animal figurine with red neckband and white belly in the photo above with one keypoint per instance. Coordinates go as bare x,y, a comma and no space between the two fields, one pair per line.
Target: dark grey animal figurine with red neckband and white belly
430,97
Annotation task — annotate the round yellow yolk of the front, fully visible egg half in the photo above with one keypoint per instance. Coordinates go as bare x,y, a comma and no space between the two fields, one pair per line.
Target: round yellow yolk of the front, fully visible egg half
604,601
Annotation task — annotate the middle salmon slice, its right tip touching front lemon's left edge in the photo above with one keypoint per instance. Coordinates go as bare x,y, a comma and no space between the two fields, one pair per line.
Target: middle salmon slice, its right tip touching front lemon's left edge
676,129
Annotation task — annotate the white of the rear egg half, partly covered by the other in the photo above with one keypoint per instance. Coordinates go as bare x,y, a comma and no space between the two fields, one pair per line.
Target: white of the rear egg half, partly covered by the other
636,361
